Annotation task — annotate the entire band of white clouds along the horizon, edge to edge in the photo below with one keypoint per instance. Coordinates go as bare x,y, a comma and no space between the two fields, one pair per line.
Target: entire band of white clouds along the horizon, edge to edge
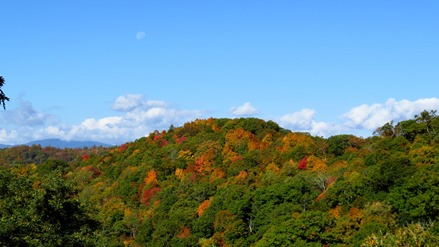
135,117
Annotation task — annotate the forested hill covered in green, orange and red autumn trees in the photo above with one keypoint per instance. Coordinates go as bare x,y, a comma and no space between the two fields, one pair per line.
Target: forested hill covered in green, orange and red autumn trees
231,182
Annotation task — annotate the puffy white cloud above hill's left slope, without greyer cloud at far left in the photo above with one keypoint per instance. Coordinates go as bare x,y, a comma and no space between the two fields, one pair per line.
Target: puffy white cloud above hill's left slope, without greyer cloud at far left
140,117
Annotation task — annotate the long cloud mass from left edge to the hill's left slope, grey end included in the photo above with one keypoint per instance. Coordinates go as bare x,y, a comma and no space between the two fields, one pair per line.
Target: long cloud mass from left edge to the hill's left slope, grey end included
137,117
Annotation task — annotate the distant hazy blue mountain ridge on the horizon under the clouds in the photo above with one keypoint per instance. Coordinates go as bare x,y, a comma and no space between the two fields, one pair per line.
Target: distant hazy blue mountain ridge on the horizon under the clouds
58,143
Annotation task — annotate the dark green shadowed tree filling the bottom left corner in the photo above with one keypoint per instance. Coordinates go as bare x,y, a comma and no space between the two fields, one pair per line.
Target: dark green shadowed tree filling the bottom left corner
41,213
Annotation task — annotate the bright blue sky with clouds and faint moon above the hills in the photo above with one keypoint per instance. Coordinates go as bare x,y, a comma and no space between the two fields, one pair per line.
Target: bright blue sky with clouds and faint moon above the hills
114,71
